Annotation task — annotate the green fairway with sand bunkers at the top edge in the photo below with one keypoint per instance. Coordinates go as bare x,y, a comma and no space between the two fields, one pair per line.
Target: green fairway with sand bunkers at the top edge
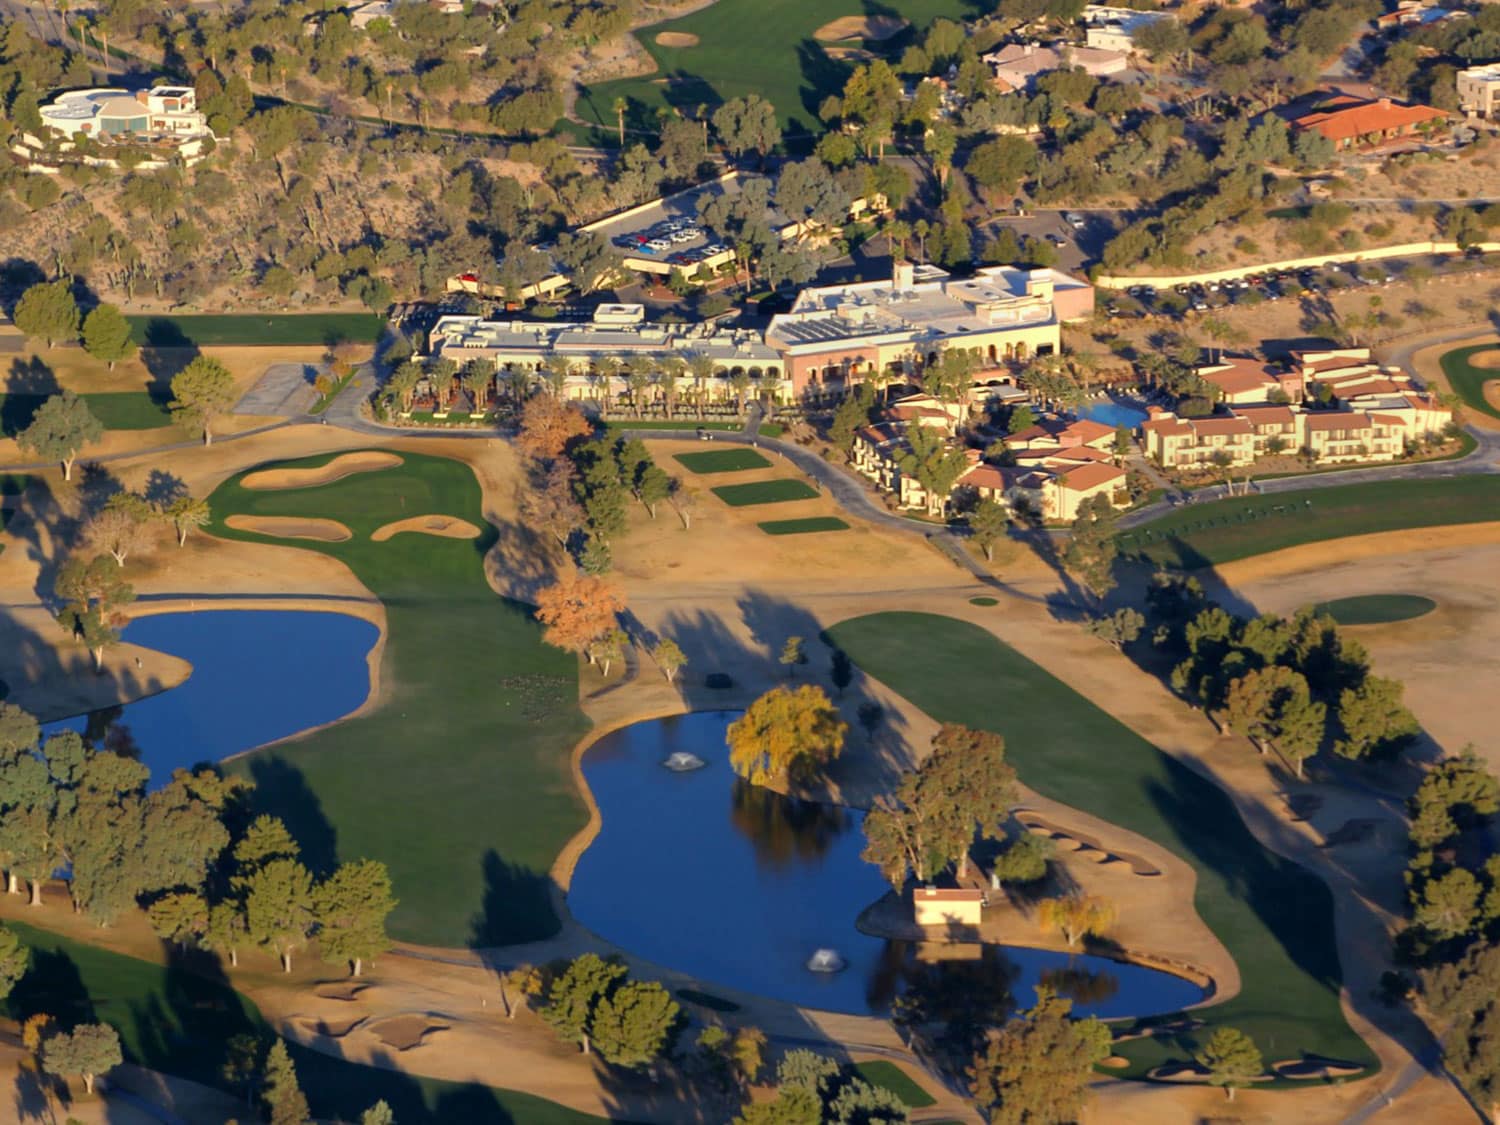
763,47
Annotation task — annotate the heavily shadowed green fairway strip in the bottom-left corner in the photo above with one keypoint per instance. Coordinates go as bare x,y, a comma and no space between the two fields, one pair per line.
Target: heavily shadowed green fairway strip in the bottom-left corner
179,1022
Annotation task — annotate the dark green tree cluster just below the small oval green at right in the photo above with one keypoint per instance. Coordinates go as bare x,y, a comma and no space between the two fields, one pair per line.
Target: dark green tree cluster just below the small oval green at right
1294,685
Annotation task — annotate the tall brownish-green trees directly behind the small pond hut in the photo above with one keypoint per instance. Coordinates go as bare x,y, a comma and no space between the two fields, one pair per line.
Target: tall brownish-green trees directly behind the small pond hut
964,790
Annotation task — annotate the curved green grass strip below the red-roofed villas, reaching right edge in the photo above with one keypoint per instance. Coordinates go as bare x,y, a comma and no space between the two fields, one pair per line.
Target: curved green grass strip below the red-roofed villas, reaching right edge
1228,530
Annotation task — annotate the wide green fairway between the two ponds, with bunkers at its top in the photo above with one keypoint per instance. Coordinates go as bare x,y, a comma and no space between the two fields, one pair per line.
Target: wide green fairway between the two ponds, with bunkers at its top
460,778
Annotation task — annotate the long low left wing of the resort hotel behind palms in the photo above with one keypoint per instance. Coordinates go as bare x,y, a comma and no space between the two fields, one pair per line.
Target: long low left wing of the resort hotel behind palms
596,359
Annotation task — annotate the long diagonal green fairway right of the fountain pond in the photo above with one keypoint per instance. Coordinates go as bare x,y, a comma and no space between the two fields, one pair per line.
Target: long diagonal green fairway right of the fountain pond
1276,919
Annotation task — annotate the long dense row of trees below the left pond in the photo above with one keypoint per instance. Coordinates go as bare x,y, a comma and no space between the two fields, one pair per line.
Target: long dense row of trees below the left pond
187,853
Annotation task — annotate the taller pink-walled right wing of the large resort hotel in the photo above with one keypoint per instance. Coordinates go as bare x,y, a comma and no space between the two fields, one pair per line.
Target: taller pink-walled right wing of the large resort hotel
889,331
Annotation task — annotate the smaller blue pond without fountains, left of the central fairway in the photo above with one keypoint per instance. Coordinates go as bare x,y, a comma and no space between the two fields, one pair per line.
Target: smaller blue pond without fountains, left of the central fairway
257,676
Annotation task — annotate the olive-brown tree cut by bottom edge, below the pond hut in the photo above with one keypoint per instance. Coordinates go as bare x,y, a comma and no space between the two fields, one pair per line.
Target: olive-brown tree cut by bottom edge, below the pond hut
1039,1067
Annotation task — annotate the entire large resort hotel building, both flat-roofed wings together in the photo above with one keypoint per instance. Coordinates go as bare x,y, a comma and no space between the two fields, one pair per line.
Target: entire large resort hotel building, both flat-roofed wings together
835,337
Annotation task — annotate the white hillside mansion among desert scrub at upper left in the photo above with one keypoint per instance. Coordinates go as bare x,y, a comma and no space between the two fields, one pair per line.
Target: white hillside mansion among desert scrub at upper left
113,128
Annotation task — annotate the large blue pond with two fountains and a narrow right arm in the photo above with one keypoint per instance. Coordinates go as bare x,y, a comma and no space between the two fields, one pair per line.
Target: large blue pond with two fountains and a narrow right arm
737,886
